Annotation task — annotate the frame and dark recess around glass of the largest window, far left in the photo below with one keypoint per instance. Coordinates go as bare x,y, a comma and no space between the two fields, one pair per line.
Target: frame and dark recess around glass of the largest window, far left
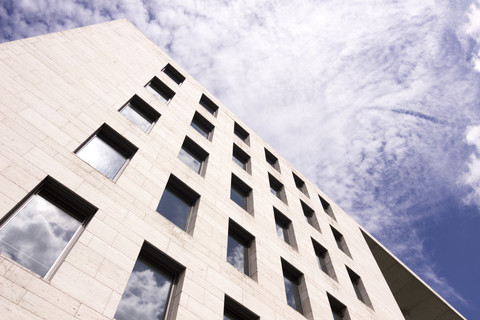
64,199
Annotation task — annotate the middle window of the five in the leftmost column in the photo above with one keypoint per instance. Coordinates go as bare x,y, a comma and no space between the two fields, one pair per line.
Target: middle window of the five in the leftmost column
140,113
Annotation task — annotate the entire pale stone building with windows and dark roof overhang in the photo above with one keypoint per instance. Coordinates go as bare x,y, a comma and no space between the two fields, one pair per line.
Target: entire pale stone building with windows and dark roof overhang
129,191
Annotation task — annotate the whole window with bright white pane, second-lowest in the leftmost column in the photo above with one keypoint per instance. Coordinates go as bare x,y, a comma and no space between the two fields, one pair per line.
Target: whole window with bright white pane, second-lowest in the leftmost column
107,151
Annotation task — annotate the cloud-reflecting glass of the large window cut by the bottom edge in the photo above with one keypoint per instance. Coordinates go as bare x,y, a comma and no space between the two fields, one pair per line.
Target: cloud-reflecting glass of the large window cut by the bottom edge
146,294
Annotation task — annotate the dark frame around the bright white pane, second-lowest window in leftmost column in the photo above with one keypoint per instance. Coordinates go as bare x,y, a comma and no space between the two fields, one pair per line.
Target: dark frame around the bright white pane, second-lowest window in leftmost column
116,141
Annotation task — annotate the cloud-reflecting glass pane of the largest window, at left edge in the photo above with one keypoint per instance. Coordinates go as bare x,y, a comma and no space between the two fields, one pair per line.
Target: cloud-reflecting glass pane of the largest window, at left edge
37,235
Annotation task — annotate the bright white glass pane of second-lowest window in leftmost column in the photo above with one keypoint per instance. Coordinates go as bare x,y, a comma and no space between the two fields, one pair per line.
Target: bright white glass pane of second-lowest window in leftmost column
102,157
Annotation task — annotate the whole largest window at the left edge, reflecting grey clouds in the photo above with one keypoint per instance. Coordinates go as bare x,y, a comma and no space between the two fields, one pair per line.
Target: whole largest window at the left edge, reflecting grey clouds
41,229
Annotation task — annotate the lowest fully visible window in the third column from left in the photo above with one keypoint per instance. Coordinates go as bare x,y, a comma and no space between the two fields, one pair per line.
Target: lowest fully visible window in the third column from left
240,249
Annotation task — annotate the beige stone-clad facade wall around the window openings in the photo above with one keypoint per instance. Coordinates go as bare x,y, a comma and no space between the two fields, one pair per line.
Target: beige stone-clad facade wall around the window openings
56,90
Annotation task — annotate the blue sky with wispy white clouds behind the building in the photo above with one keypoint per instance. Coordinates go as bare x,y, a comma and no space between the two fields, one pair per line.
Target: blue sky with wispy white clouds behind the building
376,102
